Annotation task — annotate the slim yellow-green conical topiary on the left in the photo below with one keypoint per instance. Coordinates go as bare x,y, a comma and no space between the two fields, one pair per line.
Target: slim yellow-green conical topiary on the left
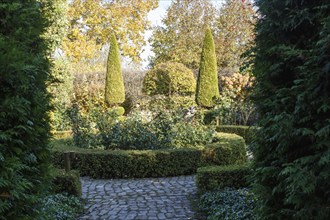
114,84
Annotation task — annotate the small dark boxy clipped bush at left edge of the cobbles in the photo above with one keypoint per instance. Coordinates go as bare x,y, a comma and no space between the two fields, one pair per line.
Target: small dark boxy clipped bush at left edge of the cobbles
67,182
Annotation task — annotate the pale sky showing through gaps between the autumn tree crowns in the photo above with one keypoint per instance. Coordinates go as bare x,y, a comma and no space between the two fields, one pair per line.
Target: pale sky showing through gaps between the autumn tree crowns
155,17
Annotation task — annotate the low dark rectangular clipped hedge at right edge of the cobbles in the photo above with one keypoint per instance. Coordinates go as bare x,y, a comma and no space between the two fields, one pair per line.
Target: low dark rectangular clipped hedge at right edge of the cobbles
218,177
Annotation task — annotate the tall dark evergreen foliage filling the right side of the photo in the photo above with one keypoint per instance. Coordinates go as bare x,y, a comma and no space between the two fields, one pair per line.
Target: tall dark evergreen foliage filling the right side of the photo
292,151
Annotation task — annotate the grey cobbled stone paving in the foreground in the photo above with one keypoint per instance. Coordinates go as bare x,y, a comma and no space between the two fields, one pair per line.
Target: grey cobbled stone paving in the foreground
144,199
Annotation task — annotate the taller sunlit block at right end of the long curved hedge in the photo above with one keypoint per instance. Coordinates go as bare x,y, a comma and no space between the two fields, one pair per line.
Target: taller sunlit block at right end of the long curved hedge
226,149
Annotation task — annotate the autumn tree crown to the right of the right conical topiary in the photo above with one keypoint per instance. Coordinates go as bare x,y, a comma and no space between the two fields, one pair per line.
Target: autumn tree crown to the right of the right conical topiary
234,34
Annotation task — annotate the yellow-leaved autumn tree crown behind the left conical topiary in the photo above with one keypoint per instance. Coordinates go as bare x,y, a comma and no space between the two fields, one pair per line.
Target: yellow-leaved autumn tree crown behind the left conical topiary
91,22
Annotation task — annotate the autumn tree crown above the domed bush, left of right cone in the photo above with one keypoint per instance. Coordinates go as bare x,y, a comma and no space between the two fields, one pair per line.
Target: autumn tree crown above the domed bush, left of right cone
180,37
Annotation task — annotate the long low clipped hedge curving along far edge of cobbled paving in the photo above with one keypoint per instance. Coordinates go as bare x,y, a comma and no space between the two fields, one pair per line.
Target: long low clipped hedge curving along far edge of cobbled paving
96,163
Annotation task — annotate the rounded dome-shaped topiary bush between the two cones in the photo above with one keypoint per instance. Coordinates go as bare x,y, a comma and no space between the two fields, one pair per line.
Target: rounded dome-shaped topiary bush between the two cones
169,78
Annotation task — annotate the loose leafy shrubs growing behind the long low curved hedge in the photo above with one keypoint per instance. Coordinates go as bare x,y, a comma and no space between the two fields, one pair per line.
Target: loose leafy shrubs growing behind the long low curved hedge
165,130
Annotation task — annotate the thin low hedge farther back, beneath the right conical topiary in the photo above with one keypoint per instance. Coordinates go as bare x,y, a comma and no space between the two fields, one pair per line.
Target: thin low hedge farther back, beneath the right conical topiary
247,132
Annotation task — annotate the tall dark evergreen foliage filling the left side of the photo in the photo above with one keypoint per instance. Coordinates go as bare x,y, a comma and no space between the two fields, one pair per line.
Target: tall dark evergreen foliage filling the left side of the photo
24,102
